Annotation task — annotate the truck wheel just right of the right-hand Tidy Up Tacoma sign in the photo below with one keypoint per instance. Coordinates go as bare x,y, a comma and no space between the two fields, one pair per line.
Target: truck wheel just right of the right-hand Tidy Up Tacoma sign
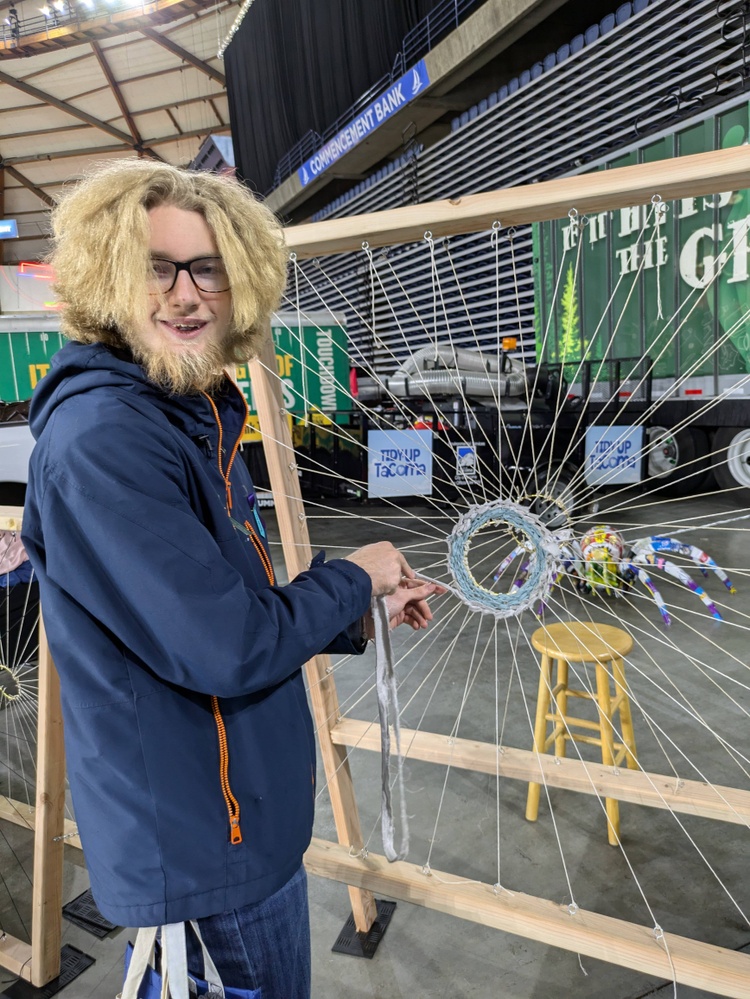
677,460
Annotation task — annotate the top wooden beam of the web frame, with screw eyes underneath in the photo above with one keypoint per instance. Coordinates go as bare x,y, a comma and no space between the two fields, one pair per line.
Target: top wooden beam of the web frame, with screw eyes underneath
703,173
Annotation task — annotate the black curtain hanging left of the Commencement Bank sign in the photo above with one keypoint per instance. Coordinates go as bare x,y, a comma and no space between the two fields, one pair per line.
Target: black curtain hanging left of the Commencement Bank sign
296,65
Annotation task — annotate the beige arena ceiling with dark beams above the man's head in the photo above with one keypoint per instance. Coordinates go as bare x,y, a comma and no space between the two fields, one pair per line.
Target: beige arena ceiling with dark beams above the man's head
110,79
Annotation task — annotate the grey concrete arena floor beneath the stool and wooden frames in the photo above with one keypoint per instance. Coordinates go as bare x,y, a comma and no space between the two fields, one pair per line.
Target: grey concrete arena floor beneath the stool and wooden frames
426,954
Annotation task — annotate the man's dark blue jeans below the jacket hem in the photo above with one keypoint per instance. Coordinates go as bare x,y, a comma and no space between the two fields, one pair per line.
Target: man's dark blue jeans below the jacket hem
263,946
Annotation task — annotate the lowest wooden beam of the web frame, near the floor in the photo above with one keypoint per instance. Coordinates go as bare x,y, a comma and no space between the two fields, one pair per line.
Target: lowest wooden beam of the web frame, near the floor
690,962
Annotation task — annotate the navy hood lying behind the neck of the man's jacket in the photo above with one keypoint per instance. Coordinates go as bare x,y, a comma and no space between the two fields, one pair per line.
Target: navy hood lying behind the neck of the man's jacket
78,368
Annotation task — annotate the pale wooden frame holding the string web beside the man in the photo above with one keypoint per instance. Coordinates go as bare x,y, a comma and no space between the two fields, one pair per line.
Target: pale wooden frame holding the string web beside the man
688,961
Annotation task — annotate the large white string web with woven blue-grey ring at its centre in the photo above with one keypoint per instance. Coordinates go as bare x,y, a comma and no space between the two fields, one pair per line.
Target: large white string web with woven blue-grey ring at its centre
521,411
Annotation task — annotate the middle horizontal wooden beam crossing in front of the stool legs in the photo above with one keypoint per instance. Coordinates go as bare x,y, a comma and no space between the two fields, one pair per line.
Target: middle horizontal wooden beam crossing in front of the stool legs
728,804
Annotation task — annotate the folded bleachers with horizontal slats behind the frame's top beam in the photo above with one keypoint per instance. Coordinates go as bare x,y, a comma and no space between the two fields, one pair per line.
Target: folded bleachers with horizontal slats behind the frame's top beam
590,105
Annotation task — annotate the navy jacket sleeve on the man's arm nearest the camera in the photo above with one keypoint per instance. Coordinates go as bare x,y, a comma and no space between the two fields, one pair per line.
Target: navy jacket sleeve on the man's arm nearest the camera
119,536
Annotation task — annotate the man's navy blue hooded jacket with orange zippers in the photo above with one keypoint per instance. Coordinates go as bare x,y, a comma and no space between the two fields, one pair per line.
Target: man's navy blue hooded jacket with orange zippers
189,742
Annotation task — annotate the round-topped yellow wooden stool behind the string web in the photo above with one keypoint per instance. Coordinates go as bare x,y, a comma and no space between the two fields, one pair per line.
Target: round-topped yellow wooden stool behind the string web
578,642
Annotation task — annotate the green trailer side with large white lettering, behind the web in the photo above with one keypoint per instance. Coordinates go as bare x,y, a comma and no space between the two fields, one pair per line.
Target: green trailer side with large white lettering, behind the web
665,280
